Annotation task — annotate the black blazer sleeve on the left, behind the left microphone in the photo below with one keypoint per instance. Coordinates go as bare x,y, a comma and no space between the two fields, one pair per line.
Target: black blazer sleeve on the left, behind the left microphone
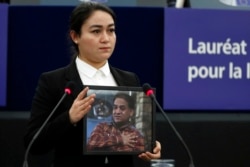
48,92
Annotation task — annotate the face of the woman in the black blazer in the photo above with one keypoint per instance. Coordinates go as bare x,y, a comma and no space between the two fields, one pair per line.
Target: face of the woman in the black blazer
97,40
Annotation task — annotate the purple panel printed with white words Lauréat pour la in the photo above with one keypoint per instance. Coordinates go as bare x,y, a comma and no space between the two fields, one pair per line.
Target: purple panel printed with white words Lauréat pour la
207,66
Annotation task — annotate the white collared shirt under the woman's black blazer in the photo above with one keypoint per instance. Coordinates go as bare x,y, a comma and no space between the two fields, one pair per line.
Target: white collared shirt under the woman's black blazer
92,76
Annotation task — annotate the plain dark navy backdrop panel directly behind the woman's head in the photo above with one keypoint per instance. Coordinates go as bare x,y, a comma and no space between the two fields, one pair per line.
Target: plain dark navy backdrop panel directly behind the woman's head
38,42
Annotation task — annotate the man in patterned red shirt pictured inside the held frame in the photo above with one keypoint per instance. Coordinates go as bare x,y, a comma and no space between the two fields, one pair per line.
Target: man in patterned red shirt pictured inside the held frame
120,134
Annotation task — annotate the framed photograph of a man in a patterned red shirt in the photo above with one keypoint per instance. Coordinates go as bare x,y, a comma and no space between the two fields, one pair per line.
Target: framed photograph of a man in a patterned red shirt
121,121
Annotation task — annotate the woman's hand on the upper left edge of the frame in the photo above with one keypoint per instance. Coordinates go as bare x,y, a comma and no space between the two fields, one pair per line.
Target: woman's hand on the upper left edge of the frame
81,106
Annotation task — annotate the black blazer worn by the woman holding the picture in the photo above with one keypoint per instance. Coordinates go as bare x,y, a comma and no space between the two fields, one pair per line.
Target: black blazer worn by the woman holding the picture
59,134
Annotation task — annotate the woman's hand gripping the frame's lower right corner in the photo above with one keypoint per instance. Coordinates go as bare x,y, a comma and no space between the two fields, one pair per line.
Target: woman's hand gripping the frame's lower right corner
155,155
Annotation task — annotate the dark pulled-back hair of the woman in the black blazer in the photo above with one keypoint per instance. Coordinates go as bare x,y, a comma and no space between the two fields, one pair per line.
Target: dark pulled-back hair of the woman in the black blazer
81,13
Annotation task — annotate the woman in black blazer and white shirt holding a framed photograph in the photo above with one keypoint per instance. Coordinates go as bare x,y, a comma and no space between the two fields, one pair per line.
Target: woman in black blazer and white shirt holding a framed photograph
92,31
